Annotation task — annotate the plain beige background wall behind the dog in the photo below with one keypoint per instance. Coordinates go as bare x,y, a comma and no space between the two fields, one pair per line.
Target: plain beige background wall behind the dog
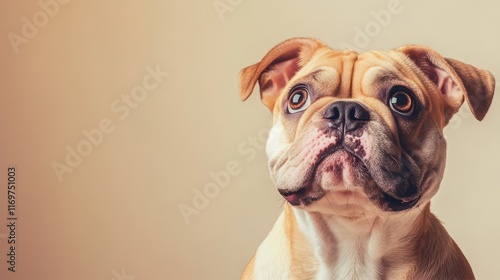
116,215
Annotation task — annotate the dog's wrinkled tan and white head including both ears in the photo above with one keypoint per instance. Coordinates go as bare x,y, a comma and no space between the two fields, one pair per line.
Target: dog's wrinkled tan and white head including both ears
361,132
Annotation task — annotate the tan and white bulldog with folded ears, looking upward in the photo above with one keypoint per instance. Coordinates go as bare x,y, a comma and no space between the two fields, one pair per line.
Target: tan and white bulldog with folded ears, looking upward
357,151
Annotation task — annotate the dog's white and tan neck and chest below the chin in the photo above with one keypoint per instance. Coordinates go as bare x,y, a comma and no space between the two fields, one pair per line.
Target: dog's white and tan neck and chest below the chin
368,247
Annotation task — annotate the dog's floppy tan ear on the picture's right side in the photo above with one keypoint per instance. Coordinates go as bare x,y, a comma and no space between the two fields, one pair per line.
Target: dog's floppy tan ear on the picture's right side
456,80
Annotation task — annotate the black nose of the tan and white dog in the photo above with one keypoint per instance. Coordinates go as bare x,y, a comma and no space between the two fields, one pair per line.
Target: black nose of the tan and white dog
347,114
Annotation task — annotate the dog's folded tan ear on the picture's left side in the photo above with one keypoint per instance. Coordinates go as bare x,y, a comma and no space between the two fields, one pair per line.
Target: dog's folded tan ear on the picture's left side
276,68
